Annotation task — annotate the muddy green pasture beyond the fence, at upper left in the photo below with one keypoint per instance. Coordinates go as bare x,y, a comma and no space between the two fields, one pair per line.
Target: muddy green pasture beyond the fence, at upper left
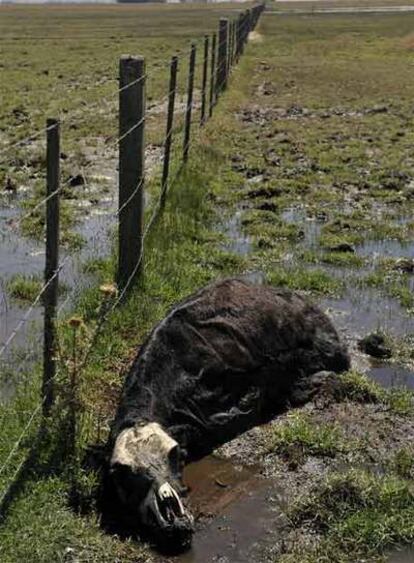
63,62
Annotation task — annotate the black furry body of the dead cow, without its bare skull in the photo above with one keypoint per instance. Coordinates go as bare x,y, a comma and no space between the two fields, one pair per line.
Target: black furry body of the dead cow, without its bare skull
225,360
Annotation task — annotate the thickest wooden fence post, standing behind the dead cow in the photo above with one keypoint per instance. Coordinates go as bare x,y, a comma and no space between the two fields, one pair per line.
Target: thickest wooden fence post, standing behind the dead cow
131,167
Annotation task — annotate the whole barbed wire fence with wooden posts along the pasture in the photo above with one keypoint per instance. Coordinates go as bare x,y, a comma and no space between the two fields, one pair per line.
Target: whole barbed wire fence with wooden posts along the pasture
219,53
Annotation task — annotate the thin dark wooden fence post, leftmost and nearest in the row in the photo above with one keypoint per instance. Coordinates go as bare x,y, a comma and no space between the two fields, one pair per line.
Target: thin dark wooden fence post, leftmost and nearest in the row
50,295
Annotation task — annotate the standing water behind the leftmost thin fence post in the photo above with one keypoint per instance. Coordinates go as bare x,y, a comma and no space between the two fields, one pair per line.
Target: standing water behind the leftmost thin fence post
19,255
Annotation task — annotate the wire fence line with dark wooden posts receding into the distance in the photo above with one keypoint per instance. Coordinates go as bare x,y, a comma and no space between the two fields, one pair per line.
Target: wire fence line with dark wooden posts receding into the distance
221,55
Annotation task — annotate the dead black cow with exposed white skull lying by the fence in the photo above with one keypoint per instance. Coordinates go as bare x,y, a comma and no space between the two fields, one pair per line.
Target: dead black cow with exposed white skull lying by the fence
226,359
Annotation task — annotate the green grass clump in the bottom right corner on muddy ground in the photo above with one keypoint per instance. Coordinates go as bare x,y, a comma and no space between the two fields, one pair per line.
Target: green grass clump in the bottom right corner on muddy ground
358,514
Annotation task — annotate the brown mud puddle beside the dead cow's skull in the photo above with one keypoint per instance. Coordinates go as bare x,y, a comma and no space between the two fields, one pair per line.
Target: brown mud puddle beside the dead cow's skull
236,510
